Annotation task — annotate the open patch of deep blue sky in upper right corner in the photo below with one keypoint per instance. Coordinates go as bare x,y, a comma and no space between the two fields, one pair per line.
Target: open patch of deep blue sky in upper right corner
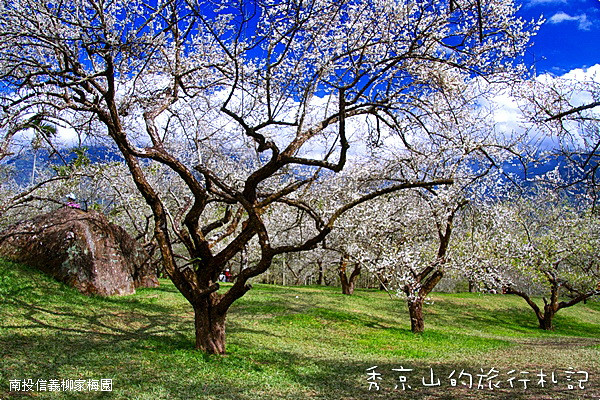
570,37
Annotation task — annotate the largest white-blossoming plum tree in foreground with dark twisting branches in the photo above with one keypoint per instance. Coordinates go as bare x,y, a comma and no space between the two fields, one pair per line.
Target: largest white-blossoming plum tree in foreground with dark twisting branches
246,103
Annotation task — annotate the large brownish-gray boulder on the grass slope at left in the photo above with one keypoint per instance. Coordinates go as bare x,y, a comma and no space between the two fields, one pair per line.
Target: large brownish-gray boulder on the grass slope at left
82,249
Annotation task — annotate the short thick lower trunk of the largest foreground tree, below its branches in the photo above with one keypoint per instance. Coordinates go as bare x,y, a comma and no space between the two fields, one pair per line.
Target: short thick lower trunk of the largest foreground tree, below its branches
210,327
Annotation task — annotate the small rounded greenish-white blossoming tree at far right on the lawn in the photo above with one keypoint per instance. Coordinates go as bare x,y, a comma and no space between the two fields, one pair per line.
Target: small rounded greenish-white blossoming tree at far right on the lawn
546,238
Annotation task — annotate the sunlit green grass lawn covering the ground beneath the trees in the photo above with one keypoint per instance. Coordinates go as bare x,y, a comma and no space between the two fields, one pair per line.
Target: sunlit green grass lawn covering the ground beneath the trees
286,343
